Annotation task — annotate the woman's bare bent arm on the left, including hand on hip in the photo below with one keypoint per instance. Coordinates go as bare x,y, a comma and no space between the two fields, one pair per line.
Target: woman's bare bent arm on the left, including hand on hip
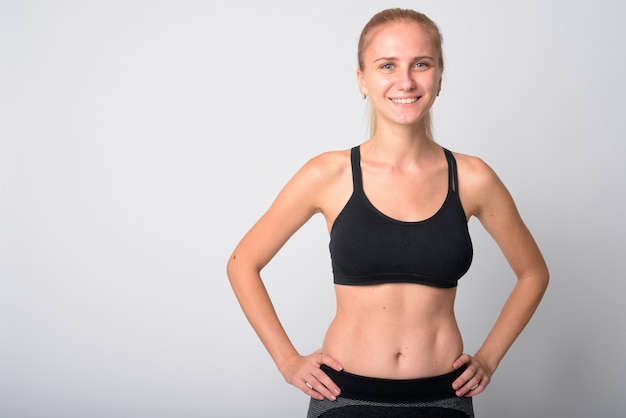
297,202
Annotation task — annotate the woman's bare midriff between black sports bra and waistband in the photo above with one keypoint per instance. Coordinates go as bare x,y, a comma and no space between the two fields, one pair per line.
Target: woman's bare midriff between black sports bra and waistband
394,330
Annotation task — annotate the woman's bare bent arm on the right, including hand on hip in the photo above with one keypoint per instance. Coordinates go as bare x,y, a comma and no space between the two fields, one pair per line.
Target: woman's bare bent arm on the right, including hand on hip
489,200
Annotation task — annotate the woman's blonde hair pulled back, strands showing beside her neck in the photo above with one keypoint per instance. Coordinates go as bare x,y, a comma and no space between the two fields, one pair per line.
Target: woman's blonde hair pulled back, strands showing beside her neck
393,16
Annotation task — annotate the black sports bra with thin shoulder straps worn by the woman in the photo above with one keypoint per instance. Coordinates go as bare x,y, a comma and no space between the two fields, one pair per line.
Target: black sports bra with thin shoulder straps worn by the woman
369,247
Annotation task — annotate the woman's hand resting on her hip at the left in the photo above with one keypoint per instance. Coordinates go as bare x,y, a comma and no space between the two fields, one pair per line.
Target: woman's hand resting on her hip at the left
304,373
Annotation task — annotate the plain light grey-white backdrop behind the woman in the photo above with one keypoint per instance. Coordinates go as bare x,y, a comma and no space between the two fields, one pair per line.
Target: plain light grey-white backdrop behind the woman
139,140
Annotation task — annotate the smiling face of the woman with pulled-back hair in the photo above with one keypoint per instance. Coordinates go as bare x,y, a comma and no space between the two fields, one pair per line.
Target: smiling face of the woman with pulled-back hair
400,73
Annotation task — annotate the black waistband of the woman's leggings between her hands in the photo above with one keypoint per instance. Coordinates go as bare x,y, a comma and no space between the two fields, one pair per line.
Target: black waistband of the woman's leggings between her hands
394,390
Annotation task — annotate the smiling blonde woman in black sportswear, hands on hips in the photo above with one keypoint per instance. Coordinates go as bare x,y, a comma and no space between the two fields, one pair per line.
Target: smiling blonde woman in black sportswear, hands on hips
397,208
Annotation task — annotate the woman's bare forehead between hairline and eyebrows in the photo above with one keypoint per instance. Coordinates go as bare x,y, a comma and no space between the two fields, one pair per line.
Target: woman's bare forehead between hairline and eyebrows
399,39
